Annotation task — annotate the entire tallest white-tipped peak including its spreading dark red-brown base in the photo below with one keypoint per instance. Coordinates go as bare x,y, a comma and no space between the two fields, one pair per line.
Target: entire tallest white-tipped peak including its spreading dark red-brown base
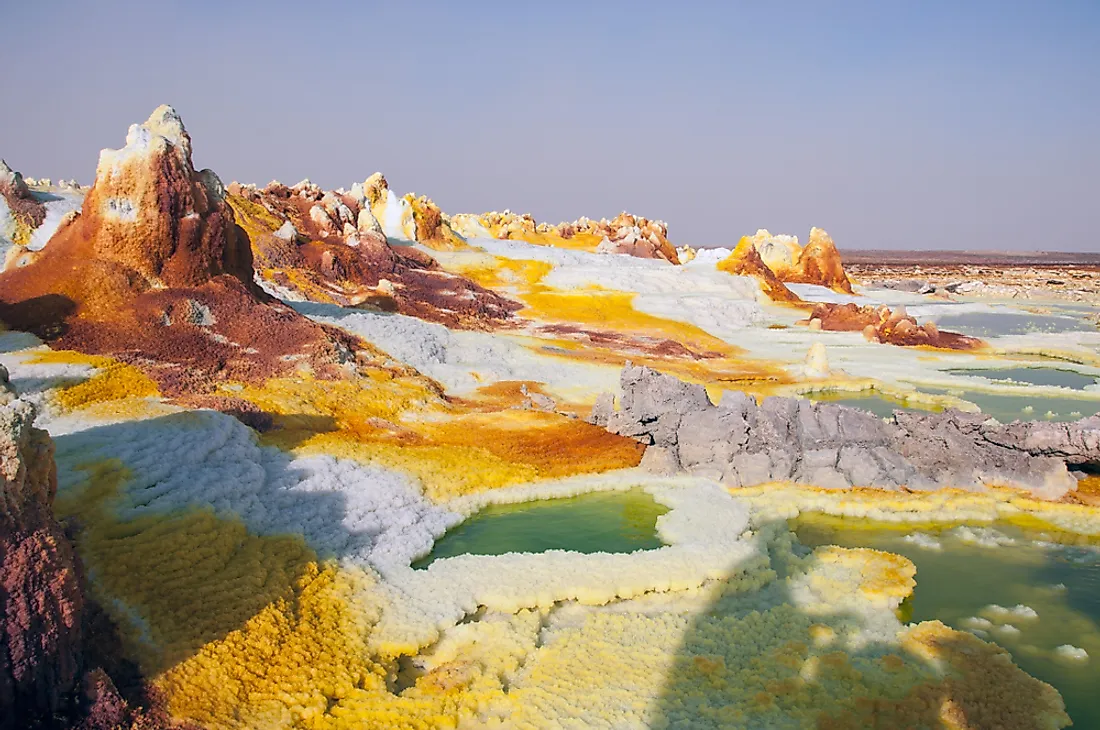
156,271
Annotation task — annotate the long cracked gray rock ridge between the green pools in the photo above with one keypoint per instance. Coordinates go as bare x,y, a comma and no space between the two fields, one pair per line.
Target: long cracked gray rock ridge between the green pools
795,440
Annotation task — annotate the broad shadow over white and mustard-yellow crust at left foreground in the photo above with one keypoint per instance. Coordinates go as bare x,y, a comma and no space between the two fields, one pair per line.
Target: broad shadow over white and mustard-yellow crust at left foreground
186,550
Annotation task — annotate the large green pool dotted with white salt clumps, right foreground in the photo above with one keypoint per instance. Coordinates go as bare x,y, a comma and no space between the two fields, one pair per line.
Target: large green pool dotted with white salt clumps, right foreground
962,580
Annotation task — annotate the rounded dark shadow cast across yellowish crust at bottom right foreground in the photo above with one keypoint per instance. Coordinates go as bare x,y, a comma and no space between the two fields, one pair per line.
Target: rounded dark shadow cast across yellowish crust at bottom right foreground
775,660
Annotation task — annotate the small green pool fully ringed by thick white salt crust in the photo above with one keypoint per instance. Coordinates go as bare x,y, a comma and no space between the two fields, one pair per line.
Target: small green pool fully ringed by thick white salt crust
607,522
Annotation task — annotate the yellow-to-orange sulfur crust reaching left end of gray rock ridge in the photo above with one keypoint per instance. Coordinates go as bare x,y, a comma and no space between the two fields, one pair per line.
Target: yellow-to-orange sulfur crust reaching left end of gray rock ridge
453,449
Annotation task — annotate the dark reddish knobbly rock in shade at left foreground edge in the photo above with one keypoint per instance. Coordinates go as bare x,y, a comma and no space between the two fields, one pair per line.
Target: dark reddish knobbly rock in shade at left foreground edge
51,637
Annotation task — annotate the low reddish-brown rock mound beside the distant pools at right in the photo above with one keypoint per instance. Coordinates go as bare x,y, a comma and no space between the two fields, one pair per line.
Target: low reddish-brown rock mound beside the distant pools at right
882,325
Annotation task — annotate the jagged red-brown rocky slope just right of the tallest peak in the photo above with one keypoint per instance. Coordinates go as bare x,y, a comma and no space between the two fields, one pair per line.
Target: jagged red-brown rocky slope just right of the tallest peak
329,247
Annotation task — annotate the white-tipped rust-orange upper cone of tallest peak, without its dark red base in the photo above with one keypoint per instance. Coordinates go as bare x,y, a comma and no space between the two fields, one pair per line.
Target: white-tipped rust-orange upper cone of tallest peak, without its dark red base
149,223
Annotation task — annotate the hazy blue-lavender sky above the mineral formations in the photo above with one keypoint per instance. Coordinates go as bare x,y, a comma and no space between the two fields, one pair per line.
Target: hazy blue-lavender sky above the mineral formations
892,125
